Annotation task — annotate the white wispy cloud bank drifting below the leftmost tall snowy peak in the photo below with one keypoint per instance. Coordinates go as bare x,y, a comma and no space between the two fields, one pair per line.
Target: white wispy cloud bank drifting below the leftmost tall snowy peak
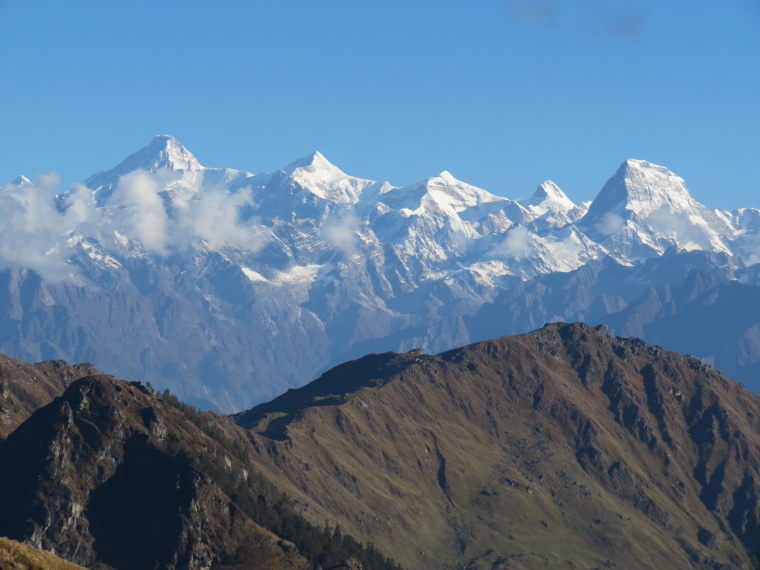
36,226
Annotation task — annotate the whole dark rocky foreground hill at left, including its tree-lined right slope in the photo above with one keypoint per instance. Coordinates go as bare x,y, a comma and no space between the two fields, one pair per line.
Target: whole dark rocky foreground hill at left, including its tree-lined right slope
109,475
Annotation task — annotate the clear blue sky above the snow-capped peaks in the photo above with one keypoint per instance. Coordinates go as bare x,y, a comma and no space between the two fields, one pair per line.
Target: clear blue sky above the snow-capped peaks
502,93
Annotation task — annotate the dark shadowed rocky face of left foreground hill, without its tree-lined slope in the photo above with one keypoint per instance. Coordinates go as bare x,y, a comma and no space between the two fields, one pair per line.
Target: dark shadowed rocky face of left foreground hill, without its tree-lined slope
102,475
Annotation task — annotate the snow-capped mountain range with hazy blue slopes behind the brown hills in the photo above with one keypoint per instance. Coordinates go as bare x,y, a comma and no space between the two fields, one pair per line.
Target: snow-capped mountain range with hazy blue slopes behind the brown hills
229,287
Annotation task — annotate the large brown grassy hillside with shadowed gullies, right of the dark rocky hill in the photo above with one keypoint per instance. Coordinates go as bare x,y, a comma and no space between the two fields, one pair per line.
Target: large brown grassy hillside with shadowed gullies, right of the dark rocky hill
560,448
